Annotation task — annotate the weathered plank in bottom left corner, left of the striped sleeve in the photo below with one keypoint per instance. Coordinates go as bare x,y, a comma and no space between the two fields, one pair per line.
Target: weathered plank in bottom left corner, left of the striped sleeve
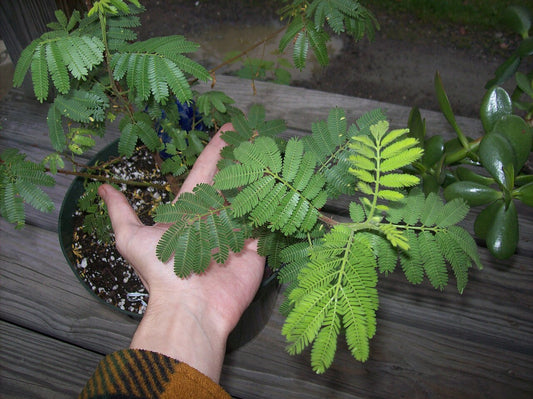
37,366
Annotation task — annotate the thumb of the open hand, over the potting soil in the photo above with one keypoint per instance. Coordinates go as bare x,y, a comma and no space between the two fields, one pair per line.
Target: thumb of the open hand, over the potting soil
121,213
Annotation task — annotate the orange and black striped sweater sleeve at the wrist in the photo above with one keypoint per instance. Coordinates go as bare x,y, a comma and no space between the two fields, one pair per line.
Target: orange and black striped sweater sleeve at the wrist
132,373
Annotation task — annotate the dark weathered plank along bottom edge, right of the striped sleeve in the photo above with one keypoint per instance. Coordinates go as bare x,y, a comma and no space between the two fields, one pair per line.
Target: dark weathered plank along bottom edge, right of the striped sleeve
405,362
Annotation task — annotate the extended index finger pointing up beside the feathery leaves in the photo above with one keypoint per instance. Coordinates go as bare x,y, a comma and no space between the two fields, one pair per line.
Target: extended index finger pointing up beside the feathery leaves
205,167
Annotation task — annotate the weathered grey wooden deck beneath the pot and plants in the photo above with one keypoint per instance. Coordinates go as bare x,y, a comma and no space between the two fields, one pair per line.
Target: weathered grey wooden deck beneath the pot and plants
429,344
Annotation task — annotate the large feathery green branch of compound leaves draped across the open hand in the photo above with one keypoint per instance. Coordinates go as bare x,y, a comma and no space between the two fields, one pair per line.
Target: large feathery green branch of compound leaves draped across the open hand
278,189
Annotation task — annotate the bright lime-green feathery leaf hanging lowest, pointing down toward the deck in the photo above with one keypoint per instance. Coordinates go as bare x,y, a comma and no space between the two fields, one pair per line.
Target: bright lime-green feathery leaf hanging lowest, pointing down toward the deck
337,288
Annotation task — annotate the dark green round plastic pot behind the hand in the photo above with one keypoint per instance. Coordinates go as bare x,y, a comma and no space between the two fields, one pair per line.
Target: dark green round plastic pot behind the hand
254,317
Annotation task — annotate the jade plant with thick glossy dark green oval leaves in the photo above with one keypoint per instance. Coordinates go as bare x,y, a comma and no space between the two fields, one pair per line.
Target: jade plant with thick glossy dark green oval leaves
494,170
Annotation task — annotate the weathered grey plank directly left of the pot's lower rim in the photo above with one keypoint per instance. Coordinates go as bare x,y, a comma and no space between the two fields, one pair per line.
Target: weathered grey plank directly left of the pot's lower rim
40,292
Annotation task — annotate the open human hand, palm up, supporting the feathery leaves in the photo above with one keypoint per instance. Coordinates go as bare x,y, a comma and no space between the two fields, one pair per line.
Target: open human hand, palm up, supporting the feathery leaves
187,319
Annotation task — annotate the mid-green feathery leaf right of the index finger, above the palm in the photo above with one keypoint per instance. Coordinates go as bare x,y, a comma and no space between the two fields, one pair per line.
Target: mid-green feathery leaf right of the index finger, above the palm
281,190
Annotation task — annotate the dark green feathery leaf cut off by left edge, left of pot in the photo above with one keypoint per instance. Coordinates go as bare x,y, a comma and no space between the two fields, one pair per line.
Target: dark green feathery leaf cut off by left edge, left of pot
19,184
